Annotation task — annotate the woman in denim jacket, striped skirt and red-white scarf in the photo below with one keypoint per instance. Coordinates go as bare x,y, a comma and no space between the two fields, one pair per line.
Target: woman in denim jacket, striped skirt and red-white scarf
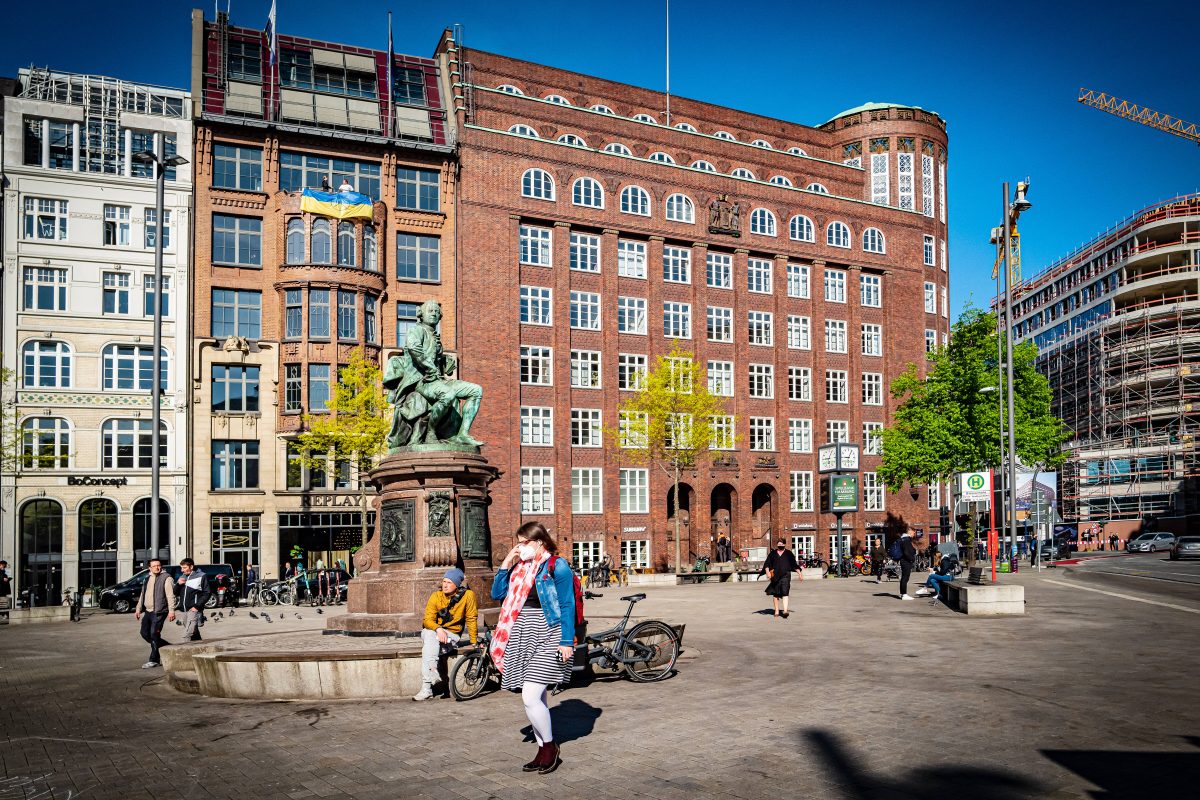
533,643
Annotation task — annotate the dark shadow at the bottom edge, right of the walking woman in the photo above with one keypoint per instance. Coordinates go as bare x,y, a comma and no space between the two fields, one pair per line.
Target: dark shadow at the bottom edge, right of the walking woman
919,784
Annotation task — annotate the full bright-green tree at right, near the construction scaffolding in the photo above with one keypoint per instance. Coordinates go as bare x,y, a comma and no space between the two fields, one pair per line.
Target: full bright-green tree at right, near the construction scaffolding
950,420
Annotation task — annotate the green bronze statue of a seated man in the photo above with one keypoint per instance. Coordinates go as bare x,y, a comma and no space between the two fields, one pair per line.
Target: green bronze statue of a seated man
427,400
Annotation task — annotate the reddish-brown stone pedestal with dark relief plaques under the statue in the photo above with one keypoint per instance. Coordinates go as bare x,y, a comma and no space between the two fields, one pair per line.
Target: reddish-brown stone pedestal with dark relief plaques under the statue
431,515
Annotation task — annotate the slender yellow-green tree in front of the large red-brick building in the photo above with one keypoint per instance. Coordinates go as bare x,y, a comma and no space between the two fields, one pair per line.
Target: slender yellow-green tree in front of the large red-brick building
671,423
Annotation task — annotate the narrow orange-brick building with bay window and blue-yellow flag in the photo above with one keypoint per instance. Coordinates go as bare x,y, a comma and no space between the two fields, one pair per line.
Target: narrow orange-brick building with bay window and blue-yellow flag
283,298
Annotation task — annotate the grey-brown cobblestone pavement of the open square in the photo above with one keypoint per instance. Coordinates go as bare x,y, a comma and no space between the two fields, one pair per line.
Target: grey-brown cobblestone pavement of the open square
857,696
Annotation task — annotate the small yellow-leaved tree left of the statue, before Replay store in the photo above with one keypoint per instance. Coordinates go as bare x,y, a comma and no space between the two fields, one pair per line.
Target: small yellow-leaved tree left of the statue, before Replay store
356,430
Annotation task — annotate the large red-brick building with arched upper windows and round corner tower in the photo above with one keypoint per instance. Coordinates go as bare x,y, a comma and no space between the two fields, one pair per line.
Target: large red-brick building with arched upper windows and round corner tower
587,212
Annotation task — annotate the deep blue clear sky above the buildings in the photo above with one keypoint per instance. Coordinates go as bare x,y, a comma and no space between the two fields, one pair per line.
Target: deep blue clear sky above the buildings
1005,76
